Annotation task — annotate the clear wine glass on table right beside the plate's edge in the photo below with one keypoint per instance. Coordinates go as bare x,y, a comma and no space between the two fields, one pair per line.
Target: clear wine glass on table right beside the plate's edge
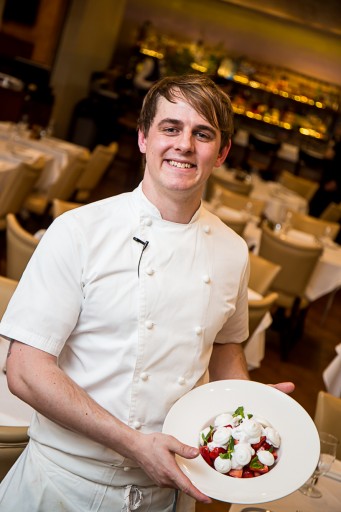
328,445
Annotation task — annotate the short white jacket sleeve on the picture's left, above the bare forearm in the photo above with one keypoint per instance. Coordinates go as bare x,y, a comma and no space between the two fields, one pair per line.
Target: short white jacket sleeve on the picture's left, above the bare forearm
46,304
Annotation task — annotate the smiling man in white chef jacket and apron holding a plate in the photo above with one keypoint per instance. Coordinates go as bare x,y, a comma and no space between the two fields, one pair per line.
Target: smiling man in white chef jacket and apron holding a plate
120,312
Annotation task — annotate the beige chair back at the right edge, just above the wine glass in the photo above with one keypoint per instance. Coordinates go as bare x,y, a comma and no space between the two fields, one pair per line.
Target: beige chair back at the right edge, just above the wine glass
328,416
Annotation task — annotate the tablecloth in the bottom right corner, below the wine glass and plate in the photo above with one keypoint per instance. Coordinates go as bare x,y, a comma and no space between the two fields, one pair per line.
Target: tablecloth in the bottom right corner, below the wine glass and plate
329,502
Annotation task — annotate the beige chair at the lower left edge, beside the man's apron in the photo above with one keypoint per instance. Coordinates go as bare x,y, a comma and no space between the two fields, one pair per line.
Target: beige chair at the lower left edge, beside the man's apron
12,442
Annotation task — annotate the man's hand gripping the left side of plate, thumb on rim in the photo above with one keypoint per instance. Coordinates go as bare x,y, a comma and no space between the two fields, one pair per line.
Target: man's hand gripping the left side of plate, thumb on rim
156,457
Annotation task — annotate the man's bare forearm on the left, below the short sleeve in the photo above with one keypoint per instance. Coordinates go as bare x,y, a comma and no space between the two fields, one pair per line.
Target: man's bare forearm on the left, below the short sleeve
34,376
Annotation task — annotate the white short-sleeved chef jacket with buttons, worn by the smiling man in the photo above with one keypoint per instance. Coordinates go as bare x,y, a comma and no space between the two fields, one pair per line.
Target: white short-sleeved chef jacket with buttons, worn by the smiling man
134,330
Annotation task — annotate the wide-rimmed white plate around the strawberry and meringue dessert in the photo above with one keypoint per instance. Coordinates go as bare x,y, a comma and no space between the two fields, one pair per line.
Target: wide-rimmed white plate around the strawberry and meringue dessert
298,454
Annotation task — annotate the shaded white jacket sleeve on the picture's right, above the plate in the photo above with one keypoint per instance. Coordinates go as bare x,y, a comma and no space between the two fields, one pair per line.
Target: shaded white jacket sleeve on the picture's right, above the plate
236,329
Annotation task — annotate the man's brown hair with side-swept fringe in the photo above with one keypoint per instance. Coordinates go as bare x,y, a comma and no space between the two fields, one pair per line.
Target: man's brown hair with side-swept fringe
200,92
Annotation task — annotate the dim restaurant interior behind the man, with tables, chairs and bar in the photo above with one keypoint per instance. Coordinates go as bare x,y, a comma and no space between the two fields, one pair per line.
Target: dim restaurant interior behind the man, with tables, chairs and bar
73,74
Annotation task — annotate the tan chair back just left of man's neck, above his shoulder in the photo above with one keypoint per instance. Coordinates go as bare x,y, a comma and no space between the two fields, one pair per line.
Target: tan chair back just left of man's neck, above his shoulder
101,158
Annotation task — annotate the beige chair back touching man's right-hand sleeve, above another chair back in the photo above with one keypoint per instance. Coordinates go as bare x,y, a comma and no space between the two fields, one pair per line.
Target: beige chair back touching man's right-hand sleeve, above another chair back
262,273
